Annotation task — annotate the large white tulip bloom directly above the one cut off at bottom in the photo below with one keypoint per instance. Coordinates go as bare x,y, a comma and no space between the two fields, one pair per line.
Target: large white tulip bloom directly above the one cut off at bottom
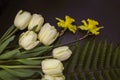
52,67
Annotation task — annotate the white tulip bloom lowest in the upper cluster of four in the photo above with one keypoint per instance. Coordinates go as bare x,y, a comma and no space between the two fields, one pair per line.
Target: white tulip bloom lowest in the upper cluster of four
28,40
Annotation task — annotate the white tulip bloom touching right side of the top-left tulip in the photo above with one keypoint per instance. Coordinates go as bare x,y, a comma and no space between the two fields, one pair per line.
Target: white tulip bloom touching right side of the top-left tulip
36,22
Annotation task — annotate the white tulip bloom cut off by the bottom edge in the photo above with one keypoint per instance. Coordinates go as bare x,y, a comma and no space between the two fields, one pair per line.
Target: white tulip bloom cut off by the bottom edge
51,77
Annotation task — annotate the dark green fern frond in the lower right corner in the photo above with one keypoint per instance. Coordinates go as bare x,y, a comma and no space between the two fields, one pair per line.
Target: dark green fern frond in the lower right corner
94,61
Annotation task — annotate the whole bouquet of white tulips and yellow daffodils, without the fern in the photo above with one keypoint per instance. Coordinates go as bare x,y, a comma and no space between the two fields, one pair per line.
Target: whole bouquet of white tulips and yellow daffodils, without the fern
29,60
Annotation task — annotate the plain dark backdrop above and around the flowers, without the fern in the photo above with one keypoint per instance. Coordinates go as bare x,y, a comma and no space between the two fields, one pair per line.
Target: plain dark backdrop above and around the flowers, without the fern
107,12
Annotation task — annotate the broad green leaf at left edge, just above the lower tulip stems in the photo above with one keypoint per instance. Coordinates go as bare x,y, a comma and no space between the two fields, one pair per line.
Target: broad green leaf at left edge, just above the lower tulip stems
9,54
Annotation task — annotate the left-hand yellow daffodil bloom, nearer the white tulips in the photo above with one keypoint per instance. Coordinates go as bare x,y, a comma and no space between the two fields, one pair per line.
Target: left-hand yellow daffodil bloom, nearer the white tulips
67,24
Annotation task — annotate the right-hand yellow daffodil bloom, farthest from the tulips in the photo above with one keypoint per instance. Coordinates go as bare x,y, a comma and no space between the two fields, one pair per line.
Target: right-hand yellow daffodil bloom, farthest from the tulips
91,26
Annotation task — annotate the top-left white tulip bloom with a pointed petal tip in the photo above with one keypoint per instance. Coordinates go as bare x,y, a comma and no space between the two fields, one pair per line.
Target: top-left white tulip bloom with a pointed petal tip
22,19
